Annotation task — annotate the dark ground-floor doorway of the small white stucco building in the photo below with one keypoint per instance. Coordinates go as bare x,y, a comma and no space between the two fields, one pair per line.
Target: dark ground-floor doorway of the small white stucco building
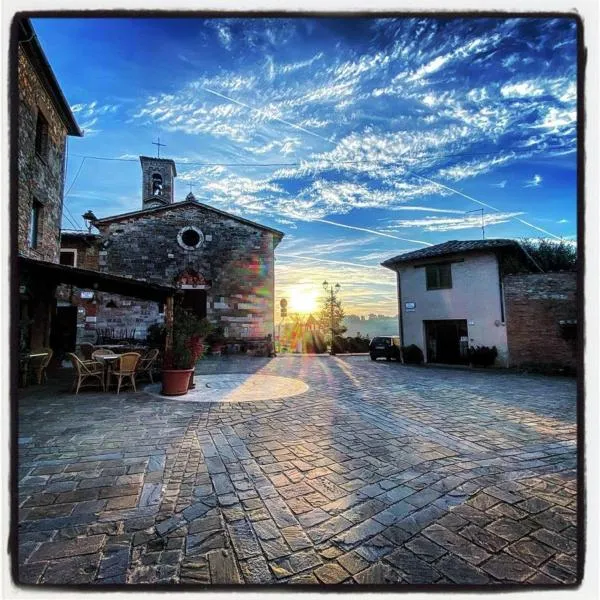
447,341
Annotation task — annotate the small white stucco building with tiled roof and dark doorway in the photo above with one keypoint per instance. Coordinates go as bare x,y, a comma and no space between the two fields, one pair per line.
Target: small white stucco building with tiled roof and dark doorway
450,297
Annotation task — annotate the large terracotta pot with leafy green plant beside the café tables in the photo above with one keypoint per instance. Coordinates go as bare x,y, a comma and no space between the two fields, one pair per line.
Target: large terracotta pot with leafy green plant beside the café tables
178,365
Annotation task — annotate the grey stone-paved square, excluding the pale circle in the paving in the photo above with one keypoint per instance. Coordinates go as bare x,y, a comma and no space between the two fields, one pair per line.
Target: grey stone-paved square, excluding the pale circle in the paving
379,473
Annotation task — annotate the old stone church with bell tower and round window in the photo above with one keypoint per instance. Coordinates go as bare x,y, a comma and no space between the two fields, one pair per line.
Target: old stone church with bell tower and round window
222,265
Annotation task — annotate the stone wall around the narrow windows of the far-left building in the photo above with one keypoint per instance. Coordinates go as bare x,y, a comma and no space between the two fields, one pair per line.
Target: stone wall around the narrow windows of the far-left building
39,177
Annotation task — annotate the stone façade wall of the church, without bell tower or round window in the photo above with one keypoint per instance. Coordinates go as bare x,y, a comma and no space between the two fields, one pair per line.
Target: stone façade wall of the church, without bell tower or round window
235,257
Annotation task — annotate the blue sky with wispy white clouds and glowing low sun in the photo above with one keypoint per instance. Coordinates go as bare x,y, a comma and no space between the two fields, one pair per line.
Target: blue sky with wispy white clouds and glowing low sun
358,138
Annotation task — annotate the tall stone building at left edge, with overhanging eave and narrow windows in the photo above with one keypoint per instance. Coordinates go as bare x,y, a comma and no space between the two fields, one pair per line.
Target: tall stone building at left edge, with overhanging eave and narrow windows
43,122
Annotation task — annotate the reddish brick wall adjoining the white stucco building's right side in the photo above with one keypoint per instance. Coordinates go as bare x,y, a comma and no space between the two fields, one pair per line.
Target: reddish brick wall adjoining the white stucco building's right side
535,303
